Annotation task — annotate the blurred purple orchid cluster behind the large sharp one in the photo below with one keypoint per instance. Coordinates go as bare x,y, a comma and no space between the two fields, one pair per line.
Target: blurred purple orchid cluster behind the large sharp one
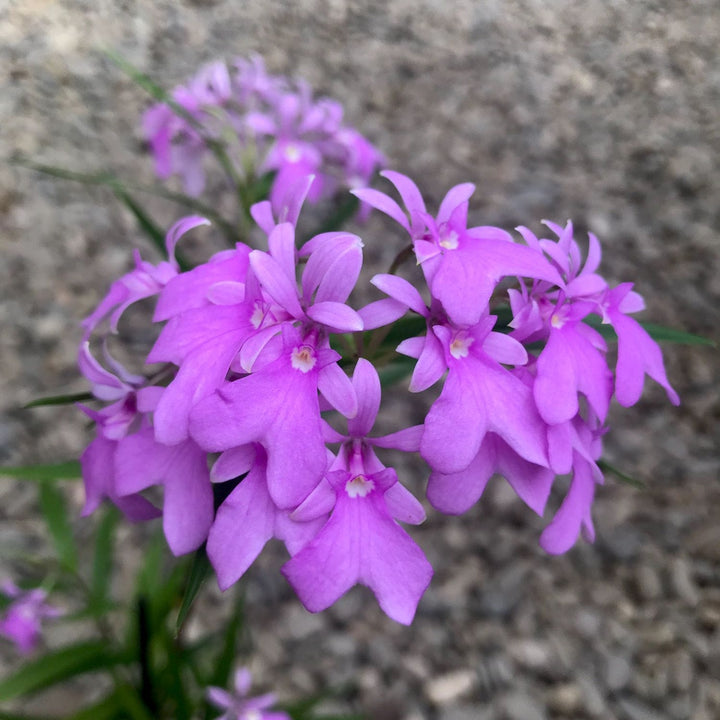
272,125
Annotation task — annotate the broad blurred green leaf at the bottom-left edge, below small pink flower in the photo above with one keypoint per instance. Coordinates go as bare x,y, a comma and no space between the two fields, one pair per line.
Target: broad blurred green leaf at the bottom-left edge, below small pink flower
58,666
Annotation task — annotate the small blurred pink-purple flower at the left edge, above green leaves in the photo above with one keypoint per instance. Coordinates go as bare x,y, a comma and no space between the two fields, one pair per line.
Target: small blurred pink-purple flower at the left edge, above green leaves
22,619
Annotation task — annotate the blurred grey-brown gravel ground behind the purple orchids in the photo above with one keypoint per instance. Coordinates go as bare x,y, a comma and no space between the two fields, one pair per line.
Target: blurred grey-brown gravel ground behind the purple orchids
606,112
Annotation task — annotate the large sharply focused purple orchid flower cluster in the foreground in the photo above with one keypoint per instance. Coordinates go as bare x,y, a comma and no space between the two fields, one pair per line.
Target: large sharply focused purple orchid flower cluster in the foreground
253,396
